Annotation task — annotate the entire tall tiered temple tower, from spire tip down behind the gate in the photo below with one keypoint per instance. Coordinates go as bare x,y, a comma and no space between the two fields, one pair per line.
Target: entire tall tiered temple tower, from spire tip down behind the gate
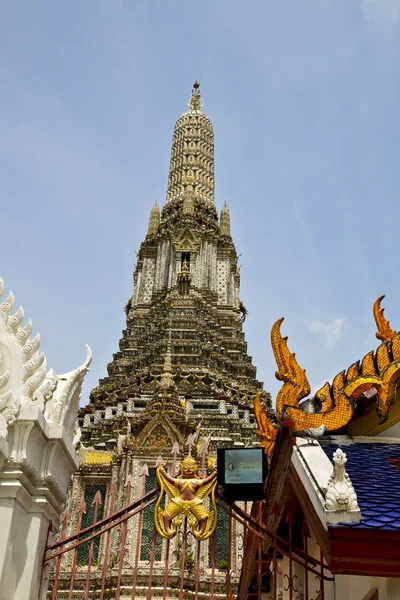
182,375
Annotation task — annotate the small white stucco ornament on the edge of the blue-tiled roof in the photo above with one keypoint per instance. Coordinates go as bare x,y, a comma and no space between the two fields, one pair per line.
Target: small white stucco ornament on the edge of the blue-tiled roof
341,499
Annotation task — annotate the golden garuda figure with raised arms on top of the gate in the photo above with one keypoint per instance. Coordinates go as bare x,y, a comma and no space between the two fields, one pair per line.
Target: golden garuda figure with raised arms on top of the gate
186,493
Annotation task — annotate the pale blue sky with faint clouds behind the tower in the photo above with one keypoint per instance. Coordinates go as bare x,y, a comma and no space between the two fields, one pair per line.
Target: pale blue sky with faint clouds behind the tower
304,97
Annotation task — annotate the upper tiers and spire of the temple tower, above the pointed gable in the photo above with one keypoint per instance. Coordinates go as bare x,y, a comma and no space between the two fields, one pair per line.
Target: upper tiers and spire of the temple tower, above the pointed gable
186,286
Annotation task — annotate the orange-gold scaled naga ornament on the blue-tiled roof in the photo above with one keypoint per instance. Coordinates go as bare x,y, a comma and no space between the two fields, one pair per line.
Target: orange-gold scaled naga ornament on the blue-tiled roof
334,404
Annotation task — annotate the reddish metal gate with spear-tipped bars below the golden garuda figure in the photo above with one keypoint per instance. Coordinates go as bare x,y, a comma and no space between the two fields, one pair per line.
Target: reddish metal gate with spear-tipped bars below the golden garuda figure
119,557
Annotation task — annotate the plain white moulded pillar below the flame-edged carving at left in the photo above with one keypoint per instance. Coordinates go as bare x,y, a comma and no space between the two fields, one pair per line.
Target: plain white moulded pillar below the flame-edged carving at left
33,482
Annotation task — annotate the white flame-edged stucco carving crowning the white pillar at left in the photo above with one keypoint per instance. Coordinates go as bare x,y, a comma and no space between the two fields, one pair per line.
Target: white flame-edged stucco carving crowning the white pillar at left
24,380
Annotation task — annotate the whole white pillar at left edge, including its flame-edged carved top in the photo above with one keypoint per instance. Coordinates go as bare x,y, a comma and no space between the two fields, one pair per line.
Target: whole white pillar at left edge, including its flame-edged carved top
38,412
